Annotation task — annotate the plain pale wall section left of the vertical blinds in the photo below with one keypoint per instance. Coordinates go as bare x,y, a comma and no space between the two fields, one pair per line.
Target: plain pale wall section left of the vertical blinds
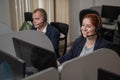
4,12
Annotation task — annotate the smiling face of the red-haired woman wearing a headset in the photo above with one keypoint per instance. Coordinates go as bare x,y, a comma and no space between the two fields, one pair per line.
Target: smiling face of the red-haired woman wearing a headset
87,28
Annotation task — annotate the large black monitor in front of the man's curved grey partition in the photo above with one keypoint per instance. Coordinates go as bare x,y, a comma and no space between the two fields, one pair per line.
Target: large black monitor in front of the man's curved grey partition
34,55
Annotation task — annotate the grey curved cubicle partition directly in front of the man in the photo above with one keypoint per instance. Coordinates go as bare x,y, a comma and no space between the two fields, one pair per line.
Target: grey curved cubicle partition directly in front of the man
33,37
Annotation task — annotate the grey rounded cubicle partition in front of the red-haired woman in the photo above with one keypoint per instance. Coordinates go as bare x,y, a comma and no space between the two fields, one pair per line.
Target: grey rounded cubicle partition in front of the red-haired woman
86,68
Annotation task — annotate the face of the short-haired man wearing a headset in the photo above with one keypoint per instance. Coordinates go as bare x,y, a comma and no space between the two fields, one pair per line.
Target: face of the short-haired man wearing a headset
37,19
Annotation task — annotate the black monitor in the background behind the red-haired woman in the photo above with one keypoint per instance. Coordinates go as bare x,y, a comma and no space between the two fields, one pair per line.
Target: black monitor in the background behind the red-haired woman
110,12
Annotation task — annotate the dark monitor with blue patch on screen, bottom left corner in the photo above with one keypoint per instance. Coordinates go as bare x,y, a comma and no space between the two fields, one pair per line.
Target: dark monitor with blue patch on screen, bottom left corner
11,68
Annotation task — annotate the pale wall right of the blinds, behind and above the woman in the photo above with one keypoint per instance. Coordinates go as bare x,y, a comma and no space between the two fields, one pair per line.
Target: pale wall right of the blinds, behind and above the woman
77,5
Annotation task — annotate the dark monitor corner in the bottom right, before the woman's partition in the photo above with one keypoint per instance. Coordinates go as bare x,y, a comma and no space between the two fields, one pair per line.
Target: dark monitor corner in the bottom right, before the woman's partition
107,75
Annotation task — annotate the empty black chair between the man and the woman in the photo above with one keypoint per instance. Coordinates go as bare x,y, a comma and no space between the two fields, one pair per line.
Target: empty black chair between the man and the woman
63,28
